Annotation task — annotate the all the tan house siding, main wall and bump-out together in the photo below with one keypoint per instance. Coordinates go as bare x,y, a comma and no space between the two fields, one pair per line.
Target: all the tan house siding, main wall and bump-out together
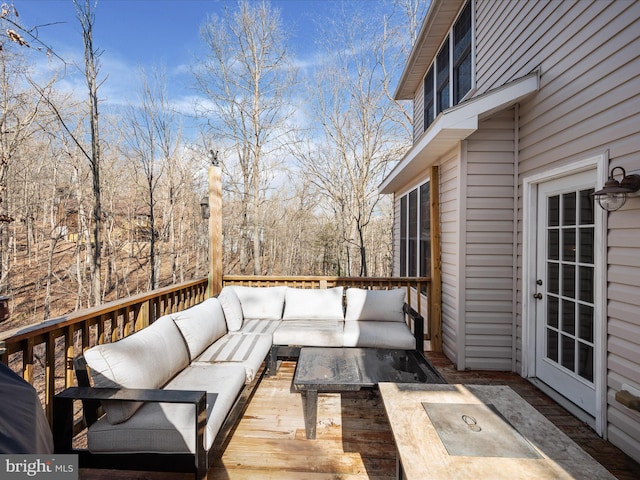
587,54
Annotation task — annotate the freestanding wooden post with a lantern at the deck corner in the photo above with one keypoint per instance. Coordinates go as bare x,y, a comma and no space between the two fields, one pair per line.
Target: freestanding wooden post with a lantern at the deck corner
215,230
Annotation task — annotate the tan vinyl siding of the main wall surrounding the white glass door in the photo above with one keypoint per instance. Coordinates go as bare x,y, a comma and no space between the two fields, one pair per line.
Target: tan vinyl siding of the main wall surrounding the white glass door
589,102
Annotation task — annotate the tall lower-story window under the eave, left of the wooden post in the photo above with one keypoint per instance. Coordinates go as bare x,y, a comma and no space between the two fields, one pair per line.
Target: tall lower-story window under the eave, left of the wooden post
415,233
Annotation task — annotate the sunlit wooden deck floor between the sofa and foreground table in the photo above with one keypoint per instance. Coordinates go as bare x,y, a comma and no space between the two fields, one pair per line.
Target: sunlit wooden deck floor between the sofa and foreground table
353,440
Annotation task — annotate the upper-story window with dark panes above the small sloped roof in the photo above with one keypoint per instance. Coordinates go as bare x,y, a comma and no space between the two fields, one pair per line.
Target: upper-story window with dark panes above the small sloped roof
449,78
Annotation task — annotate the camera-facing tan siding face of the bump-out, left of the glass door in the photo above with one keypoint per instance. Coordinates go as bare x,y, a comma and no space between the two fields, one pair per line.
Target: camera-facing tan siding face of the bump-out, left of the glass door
489,218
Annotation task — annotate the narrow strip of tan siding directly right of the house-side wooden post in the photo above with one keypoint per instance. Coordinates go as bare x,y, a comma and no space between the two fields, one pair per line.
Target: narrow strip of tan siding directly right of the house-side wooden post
450,235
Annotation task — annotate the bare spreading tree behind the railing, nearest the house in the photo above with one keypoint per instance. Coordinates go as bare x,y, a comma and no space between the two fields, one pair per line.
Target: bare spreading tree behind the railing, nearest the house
362,129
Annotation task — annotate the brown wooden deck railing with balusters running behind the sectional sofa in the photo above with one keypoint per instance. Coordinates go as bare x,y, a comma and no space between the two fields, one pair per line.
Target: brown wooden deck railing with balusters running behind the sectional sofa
43,353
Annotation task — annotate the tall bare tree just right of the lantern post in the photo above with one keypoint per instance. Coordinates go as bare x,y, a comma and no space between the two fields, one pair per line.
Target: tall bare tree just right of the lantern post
248,76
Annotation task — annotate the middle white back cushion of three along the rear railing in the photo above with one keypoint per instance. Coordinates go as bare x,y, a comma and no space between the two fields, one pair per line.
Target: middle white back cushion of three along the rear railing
313,303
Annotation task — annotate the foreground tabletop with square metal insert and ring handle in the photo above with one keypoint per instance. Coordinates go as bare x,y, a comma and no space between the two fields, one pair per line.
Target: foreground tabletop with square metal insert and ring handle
423,416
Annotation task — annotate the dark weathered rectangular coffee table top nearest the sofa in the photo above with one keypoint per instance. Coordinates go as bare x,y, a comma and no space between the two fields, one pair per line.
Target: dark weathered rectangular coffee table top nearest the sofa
340,369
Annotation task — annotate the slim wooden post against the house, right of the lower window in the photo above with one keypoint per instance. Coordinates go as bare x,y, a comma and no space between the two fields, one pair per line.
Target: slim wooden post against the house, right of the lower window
435,302
